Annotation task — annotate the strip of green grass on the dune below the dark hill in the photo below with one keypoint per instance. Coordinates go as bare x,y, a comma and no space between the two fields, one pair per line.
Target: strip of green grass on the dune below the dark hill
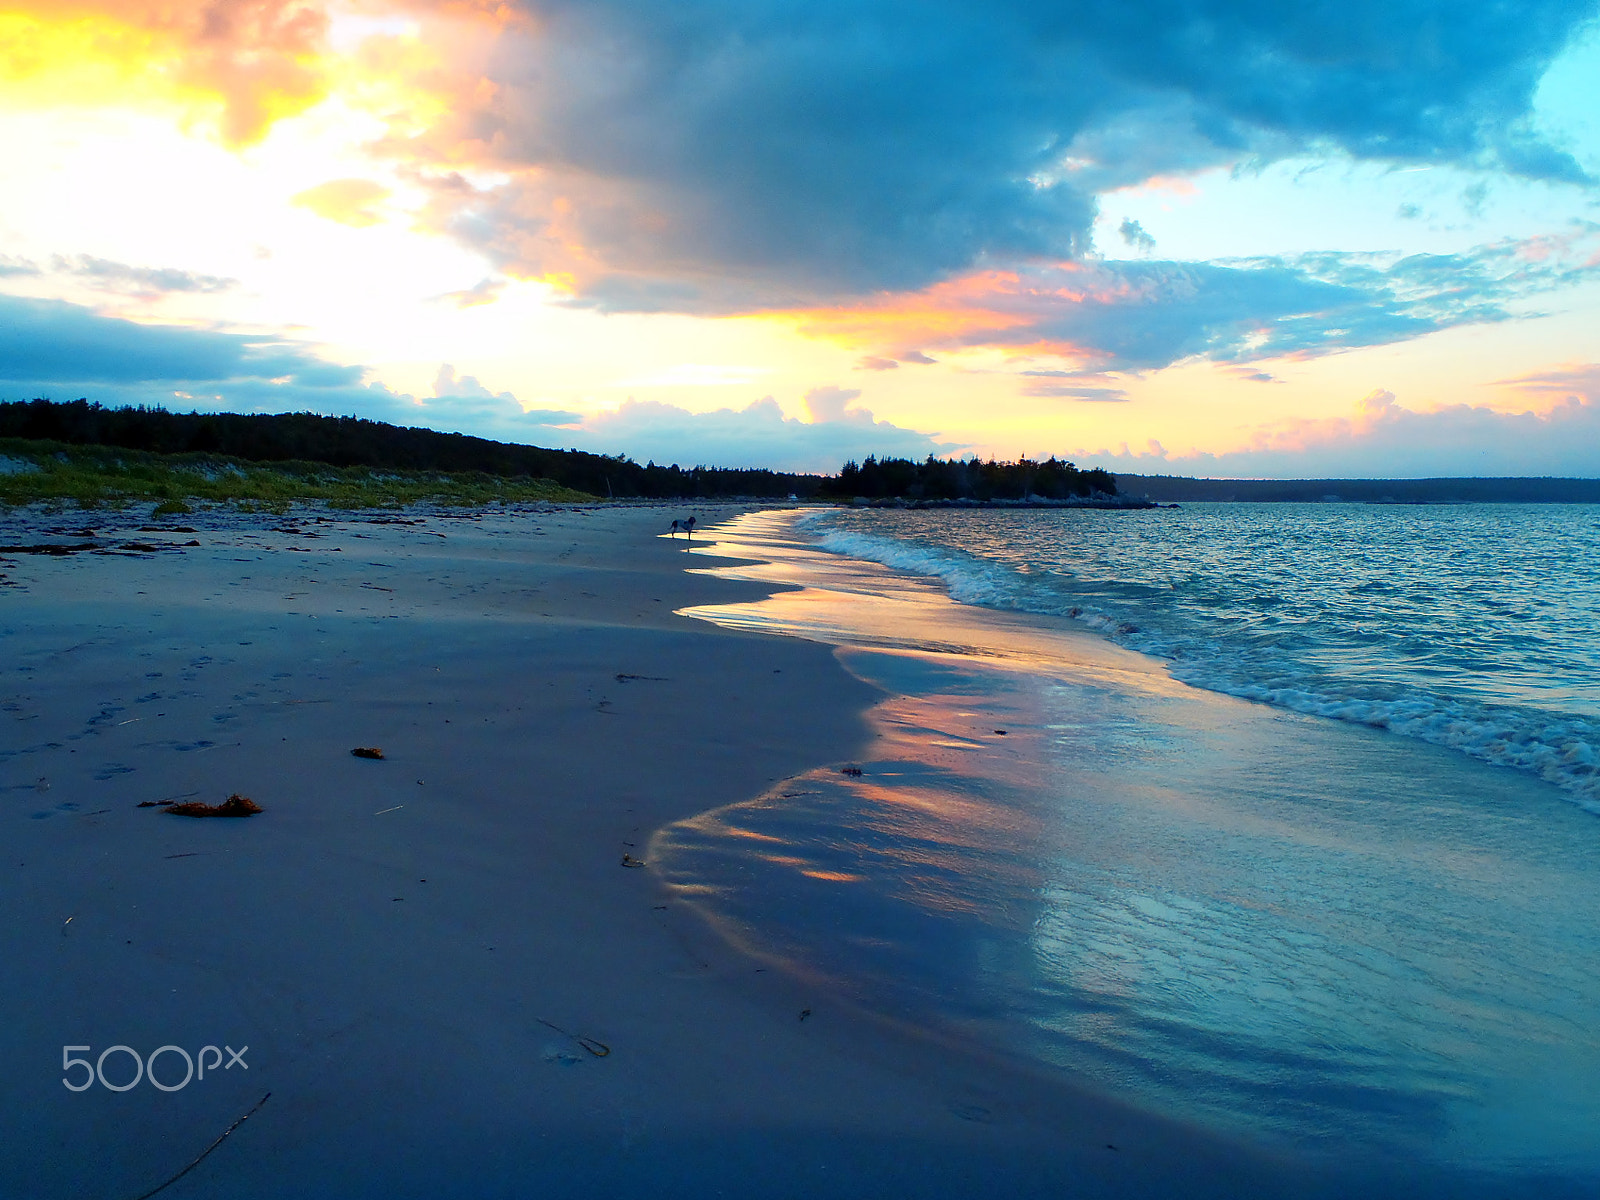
90,478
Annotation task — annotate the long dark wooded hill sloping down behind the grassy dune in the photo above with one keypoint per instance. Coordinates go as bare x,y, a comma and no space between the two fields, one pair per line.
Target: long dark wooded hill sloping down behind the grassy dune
354,442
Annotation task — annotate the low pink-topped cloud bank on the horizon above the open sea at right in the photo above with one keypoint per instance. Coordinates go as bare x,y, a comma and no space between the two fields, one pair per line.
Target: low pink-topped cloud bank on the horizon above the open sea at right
1382,439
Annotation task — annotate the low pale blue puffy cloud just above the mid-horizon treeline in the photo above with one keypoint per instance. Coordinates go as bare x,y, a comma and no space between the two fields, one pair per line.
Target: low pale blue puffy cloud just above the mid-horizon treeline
758,434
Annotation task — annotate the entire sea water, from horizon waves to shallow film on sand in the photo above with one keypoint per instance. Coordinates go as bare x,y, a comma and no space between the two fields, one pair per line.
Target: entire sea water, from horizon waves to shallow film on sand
1276,818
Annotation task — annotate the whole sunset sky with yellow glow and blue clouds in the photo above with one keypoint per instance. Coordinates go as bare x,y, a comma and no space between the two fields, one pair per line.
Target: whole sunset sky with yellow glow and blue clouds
1201,238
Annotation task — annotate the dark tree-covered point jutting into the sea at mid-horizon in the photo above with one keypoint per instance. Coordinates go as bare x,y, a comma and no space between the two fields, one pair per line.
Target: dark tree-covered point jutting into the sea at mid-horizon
972,479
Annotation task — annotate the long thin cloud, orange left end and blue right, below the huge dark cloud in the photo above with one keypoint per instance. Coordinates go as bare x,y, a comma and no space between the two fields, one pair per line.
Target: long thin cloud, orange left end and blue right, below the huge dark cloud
1153,314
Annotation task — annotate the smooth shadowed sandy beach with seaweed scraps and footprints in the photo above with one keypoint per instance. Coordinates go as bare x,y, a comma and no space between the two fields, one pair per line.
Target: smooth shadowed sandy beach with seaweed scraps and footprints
452,975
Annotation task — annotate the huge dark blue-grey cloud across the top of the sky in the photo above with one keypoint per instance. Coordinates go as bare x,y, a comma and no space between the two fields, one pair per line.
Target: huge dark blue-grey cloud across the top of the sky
734,154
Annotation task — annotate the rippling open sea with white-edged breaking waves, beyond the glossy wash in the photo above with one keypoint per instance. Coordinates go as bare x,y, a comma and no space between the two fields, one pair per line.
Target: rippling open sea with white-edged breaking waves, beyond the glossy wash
1471,626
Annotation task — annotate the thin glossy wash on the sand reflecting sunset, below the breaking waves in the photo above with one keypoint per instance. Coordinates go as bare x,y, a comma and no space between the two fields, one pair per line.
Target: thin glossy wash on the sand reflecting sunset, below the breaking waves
1287,927
